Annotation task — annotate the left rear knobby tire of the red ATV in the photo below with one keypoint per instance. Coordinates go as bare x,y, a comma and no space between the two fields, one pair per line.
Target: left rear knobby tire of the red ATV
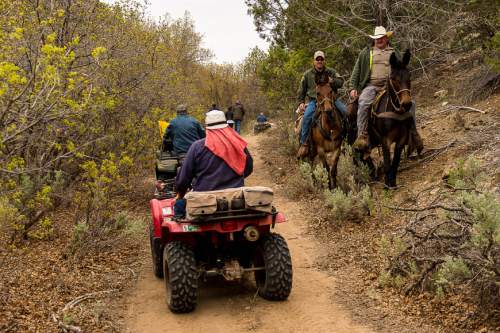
181,277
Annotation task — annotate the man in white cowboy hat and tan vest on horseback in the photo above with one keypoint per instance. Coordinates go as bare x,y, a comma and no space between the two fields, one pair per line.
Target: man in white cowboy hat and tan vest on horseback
369,77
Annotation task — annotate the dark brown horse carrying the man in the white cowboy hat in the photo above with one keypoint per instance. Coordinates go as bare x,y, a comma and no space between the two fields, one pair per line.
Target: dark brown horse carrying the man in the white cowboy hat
392,119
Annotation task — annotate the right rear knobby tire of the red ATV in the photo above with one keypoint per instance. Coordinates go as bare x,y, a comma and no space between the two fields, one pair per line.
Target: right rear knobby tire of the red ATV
275,282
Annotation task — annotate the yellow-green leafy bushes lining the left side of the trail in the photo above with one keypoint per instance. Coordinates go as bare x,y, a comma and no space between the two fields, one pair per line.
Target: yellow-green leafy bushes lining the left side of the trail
82,85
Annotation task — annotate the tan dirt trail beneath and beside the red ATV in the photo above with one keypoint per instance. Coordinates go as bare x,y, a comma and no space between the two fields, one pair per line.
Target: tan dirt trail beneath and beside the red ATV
225,307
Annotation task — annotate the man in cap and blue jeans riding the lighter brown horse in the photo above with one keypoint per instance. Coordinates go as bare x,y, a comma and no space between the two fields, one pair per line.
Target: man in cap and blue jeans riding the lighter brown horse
307,95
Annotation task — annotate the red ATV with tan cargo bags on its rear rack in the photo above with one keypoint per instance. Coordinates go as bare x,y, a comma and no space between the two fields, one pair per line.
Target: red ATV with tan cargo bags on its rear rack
227,238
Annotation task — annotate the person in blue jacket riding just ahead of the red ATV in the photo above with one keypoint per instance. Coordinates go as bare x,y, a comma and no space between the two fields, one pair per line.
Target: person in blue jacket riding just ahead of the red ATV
183,130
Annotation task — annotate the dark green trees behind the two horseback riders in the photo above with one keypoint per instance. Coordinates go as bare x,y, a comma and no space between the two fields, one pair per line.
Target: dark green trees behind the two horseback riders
433,30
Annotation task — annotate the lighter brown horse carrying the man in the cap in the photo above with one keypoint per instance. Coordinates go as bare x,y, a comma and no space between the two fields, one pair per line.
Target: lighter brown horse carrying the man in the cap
326,131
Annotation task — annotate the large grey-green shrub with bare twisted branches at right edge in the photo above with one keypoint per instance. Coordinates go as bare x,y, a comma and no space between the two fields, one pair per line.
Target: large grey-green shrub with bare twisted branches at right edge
458,243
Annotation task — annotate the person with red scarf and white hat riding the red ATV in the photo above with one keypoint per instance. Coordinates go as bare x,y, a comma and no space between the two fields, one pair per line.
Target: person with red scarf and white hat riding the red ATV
219,161
